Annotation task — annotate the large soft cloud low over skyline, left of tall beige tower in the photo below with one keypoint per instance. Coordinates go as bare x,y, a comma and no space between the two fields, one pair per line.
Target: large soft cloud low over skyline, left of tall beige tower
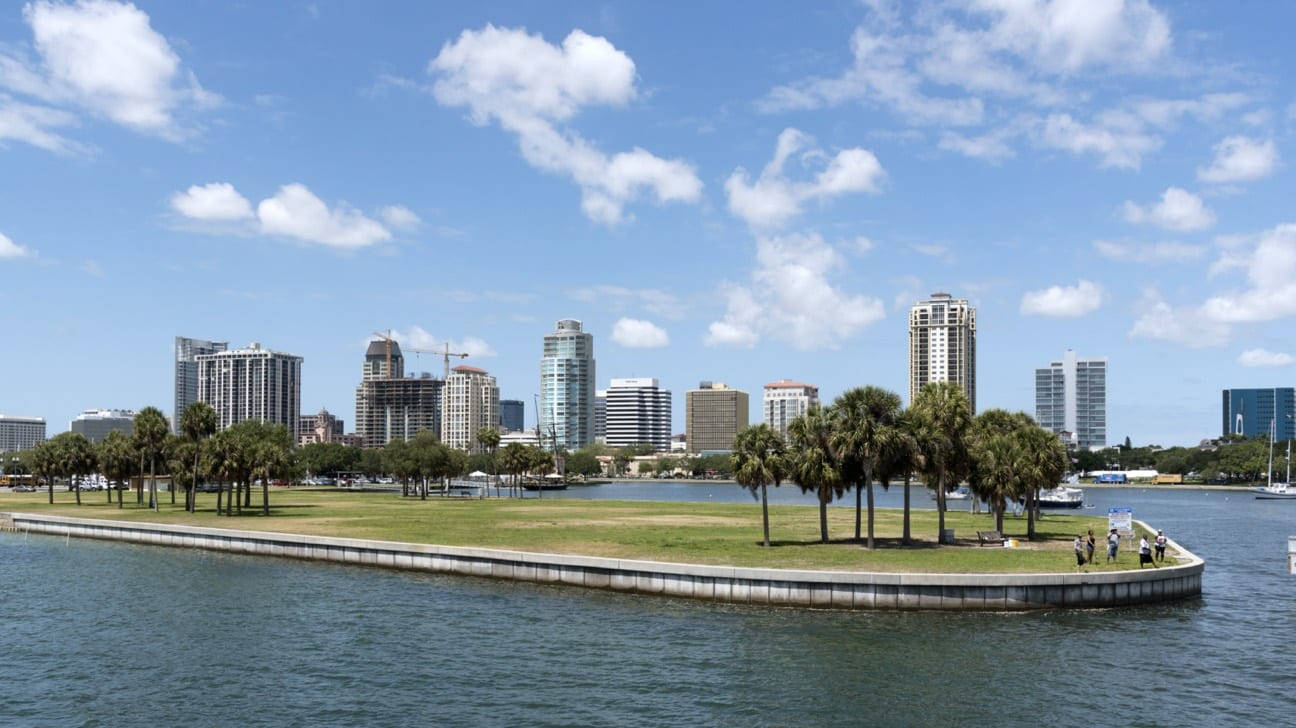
791,299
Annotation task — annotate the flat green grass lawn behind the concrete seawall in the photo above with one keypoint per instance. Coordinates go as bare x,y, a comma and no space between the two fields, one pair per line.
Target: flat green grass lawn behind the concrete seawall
699,533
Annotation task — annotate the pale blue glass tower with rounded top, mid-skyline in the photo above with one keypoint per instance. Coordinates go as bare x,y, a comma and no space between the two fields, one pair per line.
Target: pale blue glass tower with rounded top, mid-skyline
567,387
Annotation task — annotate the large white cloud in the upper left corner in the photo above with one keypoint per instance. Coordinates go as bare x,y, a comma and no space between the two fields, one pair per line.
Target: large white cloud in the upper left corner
107,59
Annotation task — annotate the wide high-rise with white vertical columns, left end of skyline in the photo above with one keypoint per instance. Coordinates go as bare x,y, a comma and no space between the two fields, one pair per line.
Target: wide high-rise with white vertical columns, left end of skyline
252,384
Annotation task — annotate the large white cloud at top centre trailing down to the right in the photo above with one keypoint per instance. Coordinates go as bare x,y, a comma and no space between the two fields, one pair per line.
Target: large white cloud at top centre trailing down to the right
529,86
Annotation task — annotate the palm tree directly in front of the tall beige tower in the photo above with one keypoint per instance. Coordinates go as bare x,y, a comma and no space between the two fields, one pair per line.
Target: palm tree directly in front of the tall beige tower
947,418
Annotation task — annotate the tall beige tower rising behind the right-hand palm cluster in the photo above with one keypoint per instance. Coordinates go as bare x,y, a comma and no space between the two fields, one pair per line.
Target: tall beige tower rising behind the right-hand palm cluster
943,345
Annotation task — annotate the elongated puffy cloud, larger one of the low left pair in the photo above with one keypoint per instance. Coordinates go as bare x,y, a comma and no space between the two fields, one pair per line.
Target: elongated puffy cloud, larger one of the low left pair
295,212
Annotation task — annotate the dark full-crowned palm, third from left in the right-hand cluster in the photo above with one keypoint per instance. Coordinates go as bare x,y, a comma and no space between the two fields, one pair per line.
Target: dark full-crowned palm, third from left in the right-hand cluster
864,418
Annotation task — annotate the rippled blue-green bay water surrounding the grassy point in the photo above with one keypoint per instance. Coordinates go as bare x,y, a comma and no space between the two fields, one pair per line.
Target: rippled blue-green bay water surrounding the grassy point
102,634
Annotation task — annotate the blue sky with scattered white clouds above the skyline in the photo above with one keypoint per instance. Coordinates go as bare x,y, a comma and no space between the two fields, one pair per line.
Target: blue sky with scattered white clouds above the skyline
739,192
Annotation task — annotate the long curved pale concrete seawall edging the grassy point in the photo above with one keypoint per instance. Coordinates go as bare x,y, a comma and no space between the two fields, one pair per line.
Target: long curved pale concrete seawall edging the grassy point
839,590
